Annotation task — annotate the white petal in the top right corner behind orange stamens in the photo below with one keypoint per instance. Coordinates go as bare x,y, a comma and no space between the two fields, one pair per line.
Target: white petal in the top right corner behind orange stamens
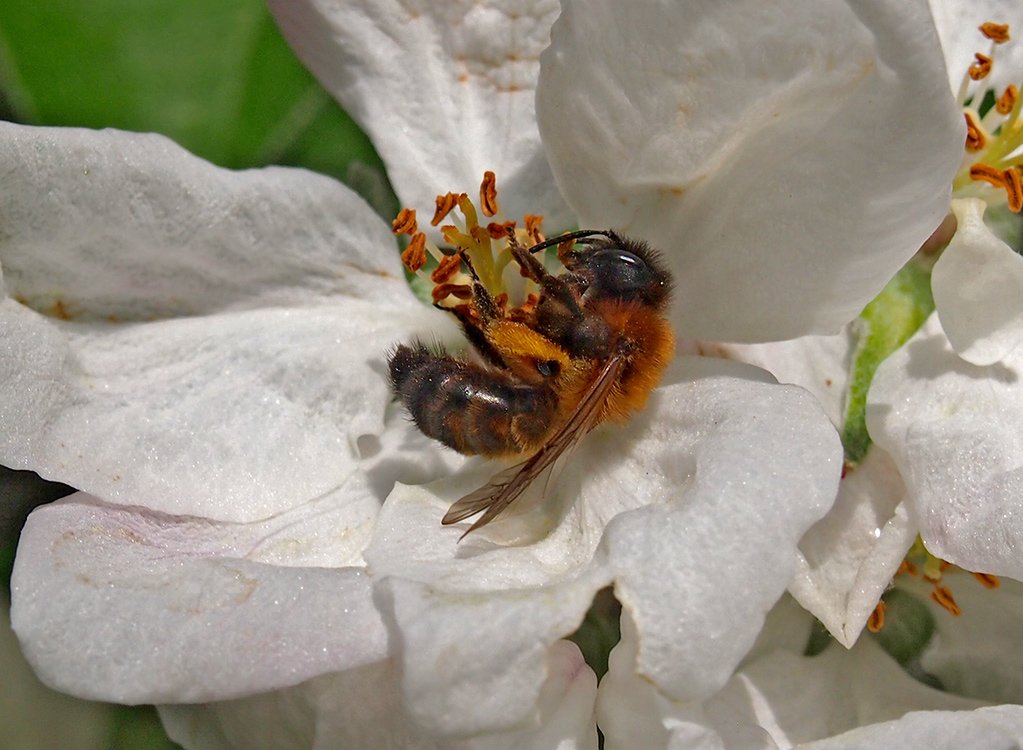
957,23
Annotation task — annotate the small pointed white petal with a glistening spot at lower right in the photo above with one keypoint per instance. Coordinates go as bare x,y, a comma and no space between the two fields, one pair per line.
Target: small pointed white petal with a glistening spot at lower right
848,559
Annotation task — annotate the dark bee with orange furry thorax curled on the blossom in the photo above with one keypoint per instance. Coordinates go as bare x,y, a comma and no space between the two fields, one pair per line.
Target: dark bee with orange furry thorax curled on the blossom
589,348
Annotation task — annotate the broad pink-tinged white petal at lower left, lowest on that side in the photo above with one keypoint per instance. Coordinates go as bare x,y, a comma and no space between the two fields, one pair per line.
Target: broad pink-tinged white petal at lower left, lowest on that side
134,607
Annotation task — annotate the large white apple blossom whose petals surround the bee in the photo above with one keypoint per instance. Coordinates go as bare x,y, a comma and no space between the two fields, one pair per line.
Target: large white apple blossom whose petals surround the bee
201,355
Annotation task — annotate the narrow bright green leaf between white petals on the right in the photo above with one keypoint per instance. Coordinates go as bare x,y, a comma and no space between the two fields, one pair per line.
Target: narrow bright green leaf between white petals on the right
882,328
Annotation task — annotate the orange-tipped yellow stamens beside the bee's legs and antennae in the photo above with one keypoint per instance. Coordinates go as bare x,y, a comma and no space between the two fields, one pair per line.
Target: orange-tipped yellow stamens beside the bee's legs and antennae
472,251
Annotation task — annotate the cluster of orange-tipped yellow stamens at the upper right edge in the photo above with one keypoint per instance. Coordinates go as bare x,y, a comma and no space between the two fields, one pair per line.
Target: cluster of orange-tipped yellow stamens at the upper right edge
995,139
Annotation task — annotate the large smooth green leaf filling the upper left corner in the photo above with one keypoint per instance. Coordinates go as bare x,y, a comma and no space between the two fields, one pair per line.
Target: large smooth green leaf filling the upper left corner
213,75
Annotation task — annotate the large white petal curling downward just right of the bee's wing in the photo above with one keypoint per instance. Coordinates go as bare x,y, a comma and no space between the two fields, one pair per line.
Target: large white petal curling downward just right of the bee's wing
746,469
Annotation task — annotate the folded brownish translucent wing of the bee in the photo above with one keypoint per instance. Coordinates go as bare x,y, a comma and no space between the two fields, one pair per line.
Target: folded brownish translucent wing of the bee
506,487
